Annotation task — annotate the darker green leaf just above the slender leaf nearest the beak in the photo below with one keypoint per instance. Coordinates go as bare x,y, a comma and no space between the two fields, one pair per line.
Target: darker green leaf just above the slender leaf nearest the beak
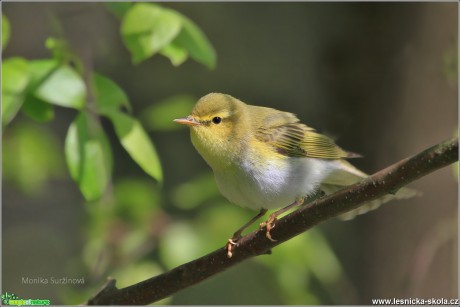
108,95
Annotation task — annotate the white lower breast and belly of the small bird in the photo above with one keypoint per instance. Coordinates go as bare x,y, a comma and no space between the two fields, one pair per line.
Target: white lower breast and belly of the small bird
274,183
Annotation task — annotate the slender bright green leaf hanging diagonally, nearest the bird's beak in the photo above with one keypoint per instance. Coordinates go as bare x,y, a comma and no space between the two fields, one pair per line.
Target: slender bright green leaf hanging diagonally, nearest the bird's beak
137,143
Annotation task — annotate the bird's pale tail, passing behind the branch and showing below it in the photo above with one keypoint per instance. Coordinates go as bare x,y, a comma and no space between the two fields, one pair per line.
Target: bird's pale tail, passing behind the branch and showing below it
345,175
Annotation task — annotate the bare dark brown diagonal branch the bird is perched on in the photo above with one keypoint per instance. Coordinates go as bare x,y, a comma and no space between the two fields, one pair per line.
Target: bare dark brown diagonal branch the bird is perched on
386,181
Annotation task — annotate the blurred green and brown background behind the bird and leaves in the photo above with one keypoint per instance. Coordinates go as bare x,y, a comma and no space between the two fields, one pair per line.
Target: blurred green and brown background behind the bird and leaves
381,78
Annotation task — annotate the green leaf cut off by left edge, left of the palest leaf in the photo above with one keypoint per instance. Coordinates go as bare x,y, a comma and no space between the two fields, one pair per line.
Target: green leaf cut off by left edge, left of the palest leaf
15,79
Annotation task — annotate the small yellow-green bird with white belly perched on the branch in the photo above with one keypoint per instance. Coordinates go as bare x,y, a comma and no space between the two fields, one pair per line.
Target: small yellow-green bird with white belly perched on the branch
263,159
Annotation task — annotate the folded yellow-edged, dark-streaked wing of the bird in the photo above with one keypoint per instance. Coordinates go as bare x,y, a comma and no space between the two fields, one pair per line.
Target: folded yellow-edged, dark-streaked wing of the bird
298,140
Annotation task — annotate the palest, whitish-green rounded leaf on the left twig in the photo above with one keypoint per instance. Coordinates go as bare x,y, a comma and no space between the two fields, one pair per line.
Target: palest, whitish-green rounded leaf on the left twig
64,87
